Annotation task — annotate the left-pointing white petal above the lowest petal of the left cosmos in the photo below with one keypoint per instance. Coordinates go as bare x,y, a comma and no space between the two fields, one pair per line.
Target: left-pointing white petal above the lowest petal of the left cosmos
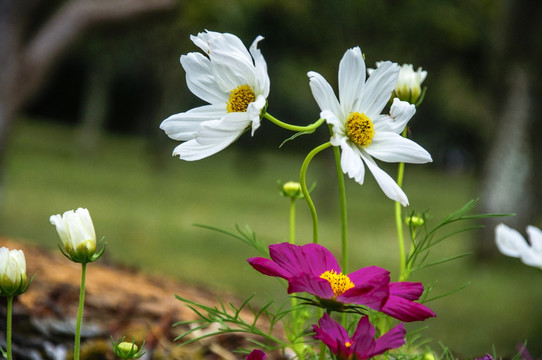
184,126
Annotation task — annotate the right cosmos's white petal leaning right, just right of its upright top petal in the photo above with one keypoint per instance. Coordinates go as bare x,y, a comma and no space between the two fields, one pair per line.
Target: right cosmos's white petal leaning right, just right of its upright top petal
378,89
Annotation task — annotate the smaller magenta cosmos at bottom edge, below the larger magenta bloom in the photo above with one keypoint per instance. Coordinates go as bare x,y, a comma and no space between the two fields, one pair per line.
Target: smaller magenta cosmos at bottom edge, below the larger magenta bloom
362,345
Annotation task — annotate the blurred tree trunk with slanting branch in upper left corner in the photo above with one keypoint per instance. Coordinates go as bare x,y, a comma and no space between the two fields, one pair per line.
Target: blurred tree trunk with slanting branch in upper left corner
27,54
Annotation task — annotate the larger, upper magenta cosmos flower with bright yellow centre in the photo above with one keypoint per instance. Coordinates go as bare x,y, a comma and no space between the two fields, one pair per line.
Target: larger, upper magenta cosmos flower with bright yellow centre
313,269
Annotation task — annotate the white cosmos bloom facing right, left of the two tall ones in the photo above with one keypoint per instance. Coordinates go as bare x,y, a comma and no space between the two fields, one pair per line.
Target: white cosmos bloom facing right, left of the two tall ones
233,81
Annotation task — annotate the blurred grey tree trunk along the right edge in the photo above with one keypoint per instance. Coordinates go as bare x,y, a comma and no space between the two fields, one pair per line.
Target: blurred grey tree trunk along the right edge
513,175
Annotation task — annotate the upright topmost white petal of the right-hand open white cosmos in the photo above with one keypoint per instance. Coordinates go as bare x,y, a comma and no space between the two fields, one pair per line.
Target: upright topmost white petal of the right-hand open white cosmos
351,78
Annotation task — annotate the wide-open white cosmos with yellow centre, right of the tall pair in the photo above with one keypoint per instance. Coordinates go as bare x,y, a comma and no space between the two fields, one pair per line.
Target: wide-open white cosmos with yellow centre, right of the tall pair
359,128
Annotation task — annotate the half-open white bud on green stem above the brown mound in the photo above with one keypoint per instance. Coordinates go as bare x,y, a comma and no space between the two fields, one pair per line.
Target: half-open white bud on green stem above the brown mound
76,232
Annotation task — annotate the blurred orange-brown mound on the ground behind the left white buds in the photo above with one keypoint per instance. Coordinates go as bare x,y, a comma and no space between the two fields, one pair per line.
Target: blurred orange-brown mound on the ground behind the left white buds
119,302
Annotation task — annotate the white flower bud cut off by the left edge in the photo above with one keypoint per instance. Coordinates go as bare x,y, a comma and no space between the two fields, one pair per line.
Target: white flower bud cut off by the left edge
12,271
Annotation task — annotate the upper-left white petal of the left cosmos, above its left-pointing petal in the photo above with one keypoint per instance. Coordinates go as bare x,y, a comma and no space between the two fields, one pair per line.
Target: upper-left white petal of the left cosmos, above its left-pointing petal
200,79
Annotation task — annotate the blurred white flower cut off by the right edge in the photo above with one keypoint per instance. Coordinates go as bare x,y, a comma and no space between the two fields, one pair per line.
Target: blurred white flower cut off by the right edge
511,243
